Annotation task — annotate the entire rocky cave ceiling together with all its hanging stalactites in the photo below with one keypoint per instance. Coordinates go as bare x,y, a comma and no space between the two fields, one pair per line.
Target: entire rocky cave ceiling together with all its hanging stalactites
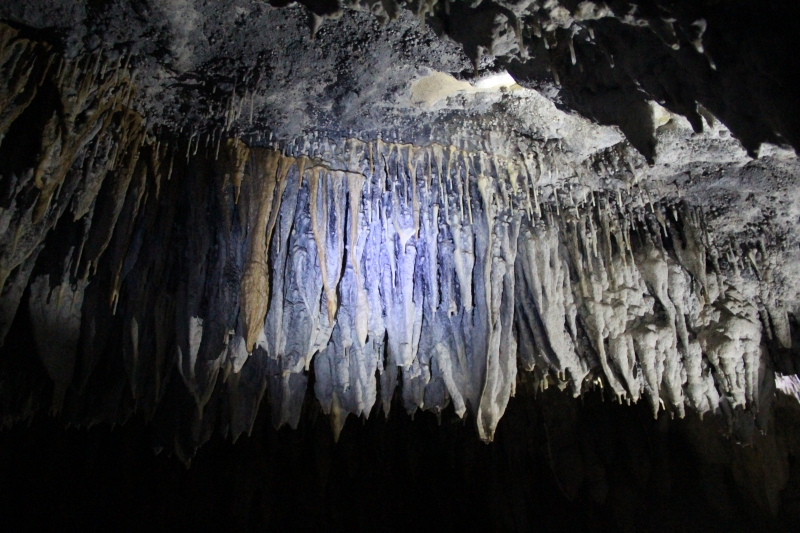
218,214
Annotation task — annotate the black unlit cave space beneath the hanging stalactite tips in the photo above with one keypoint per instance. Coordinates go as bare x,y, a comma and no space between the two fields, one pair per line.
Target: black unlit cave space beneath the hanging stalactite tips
557,464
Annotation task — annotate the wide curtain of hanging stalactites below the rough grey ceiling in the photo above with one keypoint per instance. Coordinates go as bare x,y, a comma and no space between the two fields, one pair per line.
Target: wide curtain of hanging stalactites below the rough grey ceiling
141,264
